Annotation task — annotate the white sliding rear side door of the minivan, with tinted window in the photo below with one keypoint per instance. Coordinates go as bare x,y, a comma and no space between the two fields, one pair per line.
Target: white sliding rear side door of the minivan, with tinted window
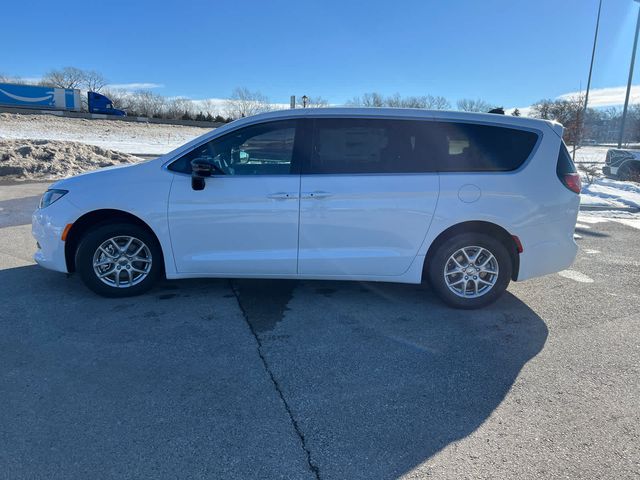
368,196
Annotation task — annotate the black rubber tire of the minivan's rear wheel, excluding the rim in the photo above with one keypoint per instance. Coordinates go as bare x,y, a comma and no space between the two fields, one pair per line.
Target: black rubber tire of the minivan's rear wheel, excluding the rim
441,258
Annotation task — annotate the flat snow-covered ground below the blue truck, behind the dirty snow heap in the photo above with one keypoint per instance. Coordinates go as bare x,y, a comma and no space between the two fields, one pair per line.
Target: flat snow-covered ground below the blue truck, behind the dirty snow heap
129,137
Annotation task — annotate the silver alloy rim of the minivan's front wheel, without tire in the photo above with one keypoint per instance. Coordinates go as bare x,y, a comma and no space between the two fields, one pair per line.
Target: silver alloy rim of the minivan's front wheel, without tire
122,261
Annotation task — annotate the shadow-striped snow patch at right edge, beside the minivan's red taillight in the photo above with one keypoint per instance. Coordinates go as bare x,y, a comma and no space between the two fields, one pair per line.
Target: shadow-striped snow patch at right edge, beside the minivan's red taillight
604,192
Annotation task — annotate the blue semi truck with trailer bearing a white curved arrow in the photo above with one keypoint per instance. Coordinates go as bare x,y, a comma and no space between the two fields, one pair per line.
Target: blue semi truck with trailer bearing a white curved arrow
53,98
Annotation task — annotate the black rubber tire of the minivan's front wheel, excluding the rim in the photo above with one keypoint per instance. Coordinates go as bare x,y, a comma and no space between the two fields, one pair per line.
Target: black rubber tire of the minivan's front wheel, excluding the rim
95,237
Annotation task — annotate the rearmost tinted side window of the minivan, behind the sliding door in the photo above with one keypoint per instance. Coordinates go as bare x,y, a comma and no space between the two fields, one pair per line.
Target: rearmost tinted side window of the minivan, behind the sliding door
466,147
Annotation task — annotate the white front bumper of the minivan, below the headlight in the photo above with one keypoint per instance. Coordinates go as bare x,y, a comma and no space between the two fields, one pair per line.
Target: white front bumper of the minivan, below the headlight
47,226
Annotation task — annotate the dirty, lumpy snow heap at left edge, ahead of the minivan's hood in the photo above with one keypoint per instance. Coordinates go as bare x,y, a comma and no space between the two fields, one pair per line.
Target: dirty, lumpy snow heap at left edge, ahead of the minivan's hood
49,160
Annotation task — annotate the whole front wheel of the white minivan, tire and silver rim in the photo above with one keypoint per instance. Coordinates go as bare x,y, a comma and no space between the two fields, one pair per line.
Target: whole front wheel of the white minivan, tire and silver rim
119,260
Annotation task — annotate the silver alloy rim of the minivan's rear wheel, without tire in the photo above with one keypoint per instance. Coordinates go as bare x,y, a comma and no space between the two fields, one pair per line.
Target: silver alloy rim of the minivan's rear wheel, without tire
471,272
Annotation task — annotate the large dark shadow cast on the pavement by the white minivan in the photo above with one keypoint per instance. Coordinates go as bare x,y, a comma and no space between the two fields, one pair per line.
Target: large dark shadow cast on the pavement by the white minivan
376,378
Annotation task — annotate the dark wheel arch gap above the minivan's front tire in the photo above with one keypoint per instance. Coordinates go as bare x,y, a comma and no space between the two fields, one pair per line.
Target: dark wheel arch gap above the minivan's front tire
92,219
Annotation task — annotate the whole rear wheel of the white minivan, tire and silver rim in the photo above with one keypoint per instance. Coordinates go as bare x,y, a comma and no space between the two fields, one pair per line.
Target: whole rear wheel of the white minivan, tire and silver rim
470,270
